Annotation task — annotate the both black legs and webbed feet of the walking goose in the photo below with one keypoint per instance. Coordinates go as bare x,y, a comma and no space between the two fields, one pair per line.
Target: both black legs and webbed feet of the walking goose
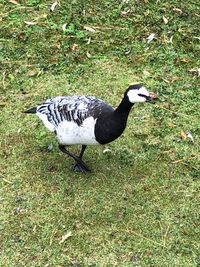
80,165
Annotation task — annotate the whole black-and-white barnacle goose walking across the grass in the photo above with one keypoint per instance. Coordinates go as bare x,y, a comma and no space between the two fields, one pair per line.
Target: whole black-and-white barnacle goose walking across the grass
86,120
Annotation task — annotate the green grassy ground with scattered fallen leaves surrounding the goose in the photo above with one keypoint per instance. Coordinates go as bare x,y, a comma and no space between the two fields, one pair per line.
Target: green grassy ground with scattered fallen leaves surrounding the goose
140,205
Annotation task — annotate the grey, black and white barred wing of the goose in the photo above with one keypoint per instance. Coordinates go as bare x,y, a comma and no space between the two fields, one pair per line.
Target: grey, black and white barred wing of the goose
71,108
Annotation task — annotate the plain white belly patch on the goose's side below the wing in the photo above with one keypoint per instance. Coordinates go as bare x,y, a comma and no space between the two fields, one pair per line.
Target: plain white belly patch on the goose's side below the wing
69,133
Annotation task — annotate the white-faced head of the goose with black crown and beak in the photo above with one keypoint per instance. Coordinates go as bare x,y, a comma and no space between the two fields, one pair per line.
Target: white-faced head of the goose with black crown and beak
137,93
